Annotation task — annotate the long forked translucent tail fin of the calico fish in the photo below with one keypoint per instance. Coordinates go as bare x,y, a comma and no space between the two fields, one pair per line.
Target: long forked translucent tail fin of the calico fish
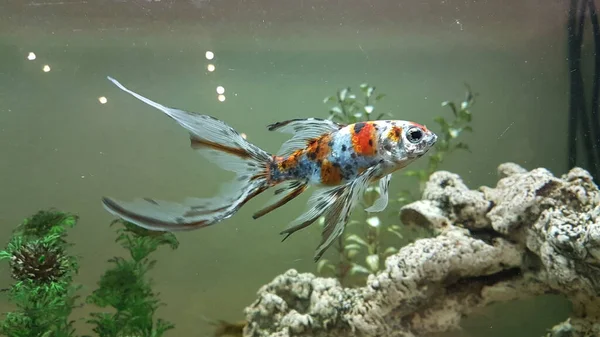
222,145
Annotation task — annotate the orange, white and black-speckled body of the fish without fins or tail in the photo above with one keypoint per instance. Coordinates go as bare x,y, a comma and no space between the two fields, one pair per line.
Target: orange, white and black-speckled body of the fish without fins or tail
339,157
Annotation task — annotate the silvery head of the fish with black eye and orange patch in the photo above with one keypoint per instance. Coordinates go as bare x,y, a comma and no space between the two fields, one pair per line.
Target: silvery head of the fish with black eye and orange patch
406,141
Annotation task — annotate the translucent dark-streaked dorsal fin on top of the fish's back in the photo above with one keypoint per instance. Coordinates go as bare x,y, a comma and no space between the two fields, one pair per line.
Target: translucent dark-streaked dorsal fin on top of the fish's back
303,130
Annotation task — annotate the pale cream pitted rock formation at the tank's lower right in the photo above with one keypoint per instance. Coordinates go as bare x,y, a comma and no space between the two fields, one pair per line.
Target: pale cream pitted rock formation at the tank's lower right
532,234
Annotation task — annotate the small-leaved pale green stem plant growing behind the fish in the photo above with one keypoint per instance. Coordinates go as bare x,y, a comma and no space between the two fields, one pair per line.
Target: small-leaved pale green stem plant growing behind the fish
366,236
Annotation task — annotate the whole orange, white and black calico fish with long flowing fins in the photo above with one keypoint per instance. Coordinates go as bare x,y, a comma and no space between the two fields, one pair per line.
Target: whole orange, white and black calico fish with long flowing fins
338,160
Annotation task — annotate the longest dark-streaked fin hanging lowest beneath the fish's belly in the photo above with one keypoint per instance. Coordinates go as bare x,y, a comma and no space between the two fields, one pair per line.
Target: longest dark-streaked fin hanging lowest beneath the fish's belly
337,215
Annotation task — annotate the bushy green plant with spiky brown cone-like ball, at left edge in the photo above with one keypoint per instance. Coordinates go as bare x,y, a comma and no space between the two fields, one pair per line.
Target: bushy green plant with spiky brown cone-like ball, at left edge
43,290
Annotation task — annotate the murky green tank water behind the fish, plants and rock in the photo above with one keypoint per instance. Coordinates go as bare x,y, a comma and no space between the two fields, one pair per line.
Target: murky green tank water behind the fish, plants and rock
276,60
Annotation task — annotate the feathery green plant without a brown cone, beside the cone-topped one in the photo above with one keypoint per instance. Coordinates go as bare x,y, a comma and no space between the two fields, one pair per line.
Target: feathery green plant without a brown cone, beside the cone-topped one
127,289
